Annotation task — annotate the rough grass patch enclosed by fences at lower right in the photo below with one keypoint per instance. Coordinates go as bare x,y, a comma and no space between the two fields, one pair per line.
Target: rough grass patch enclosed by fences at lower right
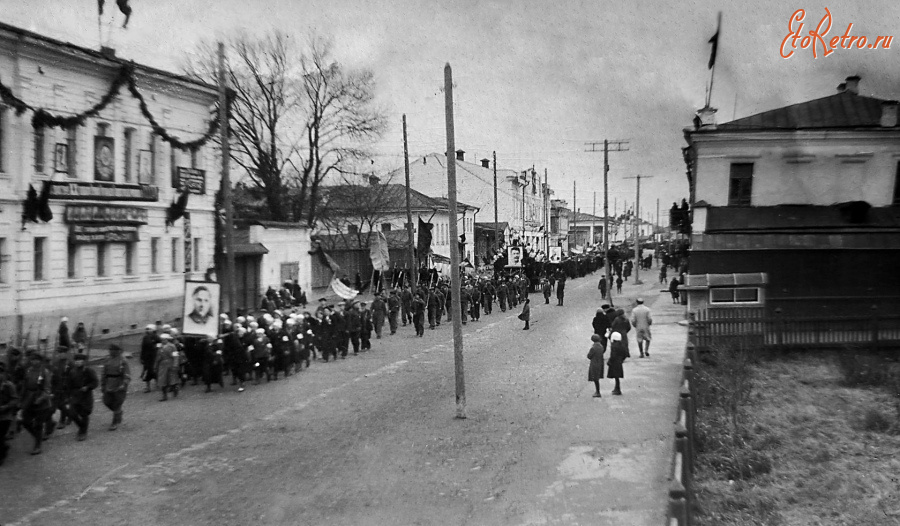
812,440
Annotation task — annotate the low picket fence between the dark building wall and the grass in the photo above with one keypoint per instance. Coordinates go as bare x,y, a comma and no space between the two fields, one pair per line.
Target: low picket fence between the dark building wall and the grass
781,331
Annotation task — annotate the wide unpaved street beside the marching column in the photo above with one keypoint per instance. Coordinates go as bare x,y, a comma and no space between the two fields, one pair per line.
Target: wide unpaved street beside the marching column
372,439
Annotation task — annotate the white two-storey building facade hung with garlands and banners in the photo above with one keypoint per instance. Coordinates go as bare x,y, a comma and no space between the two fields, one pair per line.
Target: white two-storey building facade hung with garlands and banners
72,129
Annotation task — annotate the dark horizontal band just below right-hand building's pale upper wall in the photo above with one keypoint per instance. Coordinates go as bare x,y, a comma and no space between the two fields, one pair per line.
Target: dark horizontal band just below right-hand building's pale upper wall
801,217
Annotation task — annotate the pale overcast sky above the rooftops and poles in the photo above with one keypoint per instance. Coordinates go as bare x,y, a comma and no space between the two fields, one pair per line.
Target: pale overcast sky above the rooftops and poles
534,80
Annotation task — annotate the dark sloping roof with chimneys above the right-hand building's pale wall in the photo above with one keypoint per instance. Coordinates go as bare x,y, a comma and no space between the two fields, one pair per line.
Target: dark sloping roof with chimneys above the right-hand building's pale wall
841,110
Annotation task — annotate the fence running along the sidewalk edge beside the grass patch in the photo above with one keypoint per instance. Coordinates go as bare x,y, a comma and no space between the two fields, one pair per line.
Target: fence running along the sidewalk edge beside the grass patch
681,489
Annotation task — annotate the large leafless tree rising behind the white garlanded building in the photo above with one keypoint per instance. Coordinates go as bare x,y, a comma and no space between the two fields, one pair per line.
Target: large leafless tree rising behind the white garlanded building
292,105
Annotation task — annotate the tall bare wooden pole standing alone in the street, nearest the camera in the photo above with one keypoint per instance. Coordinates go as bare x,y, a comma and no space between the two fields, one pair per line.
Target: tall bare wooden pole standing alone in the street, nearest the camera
454,248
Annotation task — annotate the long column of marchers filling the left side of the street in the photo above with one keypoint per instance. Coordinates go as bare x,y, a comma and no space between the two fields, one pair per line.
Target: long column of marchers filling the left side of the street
40,393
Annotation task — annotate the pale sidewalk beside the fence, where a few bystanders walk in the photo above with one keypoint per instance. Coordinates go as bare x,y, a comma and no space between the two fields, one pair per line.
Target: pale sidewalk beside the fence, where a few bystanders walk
619,448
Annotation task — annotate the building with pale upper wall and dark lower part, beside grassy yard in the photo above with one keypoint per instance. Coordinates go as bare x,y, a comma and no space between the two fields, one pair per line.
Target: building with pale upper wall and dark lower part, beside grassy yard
802,201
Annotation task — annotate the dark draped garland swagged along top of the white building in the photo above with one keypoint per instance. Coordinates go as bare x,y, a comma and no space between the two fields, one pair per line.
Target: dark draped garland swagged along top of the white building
43,118
